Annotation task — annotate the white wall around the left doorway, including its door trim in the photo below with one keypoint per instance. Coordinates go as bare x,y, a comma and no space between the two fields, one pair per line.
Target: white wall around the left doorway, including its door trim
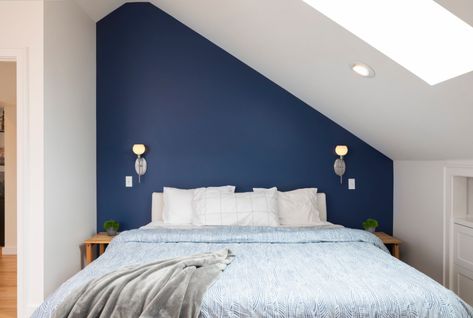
22,34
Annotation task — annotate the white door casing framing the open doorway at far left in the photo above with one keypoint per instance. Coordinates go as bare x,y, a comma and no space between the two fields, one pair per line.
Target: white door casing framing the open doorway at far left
22,122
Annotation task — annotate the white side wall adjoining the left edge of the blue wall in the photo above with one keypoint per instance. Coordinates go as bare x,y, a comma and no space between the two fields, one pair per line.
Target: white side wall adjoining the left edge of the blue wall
70,156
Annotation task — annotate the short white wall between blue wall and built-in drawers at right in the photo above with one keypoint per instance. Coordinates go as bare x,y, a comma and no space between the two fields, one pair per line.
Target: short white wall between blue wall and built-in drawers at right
419,213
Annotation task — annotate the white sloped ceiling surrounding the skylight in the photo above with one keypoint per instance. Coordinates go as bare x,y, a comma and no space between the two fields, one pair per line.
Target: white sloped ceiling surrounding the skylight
310,56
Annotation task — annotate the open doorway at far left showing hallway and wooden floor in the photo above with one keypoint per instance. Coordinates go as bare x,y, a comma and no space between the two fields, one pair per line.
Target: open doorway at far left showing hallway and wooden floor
8,175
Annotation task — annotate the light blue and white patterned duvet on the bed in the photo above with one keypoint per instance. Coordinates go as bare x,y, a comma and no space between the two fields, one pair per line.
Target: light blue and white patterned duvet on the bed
285,272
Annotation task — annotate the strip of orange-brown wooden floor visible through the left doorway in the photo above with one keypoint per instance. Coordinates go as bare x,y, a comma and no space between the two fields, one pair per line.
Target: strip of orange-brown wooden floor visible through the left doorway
7,286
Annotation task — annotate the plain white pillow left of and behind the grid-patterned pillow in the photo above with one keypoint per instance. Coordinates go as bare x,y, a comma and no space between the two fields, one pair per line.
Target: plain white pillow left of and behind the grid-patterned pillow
177,203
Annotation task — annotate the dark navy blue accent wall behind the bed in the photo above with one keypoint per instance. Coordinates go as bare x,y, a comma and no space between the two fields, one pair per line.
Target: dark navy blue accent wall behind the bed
209,119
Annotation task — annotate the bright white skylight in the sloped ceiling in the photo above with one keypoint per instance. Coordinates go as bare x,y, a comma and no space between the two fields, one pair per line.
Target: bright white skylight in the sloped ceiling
420,35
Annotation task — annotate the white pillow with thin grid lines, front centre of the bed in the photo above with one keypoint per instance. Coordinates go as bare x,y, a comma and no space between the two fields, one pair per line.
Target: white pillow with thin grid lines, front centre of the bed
247,208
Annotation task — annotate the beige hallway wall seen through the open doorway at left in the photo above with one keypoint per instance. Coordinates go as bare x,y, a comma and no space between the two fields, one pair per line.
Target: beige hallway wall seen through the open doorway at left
8,101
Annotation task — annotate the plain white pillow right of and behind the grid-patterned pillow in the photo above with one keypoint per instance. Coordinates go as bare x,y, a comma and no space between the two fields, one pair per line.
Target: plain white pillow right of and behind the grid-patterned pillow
297,207
